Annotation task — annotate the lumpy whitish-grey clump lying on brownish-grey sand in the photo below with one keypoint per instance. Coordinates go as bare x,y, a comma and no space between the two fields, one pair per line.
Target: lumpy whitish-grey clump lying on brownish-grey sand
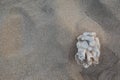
88,49
